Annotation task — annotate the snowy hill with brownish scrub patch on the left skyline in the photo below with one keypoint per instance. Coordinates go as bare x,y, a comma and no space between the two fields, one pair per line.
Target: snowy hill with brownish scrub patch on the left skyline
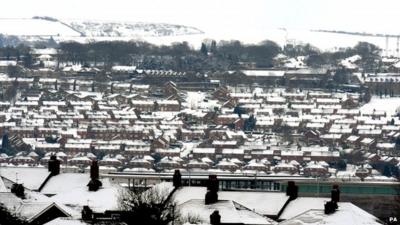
46,26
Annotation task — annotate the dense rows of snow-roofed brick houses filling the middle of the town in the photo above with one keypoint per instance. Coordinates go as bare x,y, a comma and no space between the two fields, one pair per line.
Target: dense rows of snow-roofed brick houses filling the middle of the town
193,125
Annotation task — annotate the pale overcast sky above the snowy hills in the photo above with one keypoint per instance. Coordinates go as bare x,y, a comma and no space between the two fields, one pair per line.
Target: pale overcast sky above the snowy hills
229,16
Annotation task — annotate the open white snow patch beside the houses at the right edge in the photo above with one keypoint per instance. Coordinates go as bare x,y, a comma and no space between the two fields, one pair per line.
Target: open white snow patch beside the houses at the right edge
389,105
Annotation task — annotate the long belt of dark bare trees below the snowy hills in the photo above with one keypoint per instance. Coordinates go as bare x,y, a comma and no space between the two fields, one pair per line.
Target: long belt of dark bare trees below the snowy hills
212,56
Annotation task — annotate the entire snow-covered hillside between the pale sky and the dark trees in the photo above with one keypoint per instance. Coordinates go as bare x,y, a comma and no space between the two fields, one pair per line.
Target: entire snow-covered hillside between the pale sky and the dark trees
164,34
